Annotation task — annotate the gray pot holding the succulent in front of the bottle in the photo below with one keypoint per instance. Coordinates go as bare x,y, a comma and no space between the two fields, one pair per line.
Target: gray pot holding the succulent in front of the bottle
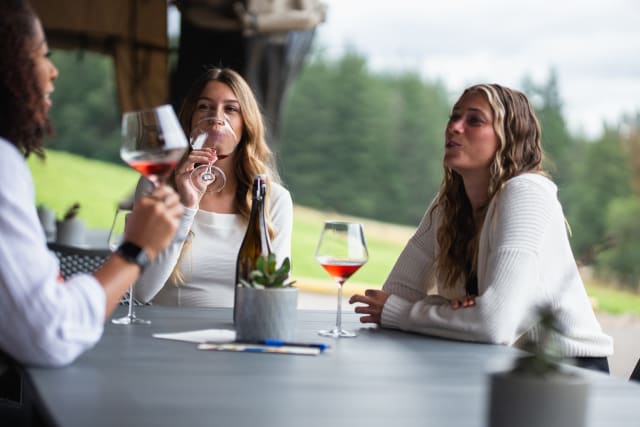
266,314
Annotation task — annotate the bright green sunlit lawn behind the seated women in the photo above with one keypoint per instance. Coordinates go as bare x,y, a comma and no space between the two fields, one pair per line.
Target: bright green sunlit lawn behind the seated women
64,179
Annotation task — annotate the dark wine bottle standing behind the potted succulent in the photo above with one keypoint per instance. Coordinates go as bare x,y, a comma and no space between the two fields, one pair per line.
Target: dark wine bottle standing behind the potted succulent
256,242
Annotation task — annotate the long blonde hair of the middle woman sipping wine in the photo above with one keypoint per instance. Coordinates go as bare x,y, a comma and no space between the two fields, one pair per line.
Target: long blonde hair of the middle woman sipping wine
253,155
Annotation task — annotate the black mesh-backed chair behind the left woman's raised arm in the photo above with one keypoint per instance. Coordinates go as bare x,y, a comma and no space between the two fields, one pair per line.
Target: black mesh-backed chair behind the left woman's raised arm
74,260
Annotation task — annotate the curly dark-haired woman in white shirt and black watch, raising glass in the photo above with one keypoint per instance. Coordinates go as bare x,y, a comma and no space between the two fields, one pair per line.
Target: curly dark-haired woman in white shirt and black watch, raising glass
43,320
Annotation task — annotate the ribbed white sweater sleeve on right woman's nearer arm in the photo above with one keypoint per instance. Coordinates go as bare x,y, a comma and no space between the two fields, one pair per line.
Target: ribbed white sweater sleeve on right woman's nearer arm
511,285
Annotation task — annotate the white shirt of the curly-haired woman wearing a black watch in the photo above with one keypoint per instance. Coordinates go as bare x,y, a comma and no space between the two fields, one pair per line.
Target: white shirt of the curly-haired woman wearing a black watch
43,321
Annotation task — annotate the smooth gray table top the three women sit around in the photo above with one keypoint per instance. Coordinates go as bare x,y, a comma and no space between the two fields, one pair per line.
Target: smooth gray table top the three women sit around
379,378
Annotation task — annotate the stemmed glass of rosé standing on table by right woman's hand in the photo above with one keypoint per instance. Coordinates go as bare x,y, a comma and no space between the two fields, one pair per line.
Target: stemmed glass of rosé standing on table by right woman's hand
342,250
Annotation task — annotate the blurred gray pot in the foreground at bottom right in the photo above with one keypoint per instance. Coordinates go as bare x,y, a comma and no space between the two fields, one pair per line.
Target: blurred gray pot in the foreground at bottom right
557,400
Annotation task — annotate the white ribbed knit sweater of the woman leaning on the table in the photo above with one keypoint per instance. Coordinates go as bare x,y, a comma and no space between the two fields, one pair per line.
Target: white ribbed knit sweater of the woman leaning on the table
524,262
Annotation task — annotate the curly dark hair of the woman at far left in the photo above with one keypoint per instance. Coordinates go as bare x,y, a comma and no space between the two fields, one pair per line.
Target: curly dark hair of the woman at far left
20,98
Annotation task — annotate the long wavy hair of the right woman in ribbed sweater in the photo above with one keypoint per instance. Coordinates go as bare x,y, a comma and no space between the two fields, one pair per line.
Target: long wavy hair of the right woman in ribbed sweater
519,151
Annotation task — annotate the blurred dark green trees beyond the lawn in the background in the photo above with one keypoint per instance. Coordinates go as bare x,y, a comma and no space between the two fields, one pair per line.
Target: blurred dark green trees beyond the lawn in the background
370,144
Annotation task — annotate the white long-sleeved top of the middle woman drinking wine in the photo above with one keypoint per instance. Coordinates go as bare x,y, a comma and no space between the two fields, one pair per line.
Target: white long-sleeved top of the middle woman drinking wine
209,265
